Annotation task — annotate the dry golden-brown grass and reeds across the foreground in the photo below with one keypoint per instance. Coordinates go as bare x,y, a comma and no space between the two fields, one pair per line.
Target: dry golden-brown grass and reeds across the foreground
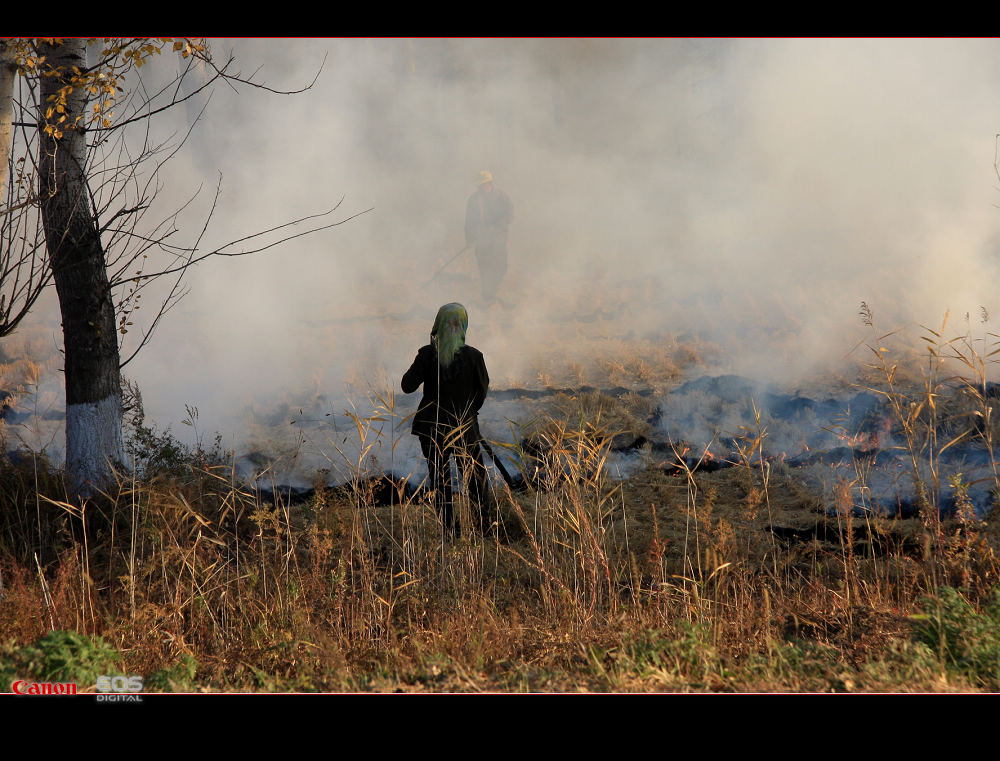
675,579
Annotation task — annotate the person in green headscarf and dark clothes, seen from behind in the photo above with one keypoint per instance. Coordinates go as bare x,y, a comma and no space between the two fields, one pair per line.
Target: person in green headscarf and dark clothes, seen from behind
447,421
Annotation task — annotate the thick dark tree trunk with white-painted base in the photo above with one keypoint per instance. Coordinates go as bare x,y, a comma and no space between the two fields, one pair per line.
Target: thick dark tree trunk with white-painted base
93,384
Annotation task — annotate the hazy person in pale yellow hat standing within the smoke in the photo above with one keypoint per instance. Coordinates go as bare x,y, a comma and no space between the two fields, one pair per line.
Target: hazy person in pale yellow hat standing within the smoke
488,214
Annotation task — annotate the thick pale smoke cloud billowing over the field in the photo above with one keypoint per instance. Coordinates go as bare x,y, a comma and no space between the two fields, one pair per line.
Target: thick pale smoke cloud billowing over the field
742,197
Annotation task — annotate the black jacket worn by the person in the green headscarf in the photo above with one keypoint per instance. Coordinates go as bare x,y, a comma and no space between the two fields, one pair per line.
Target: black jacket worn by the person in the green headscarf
453,395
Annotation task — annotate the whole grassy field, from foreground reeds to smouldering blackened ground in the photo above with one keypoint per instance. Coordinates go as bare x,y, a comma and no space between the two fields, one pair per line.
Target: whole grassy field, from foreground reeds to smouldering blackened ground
715,561
